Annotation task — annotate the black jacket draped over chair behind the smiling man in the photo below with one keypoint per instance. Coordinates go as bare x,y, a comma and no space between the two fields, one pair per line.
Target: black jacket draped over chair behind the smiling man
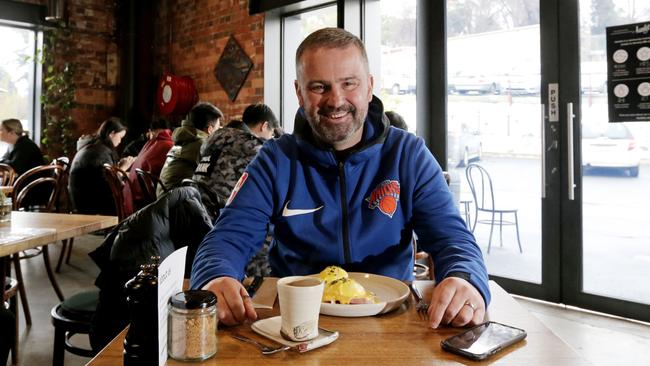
175,220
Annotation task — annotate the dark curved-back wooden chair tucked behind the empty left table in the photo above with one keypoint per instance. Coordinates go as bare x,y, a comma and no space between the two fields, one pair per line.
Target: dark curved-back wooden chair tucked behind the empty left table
41,185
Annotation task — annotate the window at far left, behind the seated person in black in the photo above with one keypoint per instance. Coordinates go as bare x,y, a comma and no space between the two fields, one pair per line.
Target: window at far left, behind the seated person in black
17,77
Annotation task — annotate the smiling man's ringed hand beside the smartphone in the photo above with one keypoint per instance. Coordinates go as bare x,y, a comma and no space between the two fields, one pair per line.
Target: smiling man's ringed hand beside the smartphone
456,302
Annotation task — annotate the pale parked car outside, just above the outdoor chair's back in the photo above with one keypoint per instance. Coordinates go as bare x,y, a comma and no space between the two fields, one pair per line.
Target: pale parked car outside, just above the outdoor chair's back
463,145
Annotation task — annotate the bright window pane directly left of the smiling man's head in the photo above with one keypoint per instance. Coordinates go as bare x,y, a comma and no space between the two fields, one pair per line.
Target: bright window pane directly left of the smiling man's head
295,28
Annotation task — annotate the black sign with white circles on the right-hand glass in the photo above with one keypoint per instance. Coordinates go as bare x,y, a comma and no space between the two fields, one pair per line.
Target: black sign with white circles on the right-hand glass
628,72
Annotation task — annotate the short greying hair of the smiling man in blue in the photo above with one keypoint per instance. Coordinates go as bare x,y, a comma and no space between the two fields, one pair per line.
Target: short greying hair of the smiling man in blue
331,38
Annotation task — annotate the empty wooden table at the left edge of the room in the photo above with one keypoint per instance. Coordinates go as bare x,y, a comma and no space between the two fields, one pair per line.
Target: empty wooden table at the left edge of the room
28,230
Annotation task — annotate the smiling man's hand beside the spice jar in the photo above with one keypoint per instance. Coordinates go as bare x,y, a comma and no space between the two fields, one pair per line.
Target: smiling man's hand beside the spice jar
233,303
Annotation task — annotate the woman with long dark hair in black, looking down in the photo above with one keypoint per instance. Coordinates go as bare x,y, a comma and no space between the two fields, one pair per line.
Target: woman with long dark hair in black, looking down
89,190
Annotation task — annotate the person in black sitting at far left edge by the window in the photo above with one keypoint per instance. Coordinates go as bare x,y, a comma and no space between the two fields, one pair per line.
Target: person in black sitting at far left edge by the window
23,154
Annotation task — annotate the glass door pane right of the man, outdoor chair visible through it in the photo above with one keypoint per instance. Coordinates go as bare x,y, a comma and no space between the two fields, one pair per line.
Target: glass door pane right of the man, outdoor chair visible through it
494,122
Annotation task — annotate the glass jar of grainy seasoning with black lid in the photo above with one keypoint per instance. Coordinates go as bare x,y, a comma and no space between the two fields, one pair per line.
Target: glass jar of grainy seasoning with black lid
192,325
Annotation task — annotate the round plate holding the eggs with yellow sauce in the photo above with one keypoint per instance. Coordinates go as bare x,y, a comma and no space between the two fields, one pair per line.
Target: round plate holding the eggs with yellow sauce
390,293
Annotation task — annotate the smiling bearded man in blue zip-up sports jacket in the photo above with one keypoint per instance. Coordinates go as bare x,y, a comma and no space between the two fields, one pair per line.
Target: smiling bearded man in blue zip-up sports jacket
344,189
